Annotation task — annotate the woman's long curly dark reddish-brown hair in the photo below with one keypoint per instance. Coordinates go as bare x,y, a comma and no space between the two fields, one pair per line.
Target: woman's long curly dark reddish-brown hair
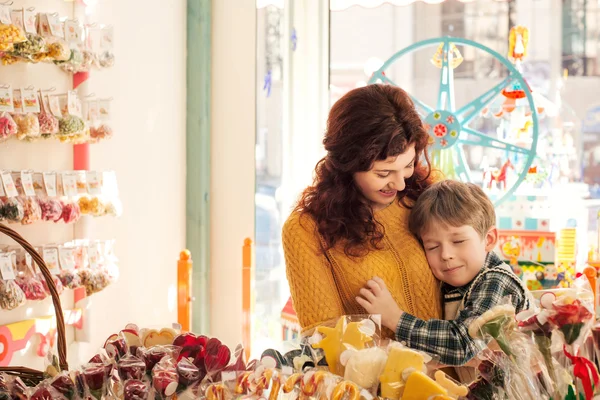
367,124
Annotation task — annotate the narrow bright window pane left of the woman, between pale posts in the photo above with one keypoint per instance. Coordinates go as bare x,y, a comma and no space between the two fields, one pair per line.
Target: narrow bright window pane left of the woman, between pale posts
270,286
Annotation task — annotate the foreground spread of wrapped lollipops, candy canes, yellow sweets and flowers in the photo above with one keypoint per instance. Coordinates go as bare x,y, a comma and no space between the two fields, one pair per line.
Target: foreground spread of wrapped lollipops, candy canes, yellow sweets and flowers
537,354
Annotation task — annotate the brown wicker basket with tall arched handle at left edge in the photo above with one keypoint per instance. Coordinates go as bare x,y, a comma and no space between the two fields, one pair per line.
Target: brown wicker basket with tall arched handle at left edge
30,376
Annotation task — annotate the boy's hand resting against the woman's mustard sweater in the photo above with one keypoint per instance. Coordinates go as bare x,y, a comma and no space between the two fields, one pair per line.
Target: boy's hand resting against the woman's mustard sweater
375,298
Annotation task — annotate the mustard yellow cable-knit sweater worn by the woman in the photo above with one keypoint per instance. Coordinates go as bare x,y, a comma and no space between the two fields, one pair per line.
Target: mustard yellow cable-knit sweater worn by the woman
313,277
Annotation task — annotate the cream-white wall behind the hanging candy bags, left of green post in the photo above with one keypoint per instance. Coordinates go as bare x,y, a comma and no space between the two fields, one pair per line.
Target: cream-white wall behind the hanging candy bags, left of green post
147,152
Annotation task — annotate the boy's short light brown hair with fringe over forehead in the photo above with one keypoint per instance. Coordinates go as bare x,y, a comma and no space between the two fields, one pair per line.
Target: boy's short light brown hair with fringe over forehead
452,203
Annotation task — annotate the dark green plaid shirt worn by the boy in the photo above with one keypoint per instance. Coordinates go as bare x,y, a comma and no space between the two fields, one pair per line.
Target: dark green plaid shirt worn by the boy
450,340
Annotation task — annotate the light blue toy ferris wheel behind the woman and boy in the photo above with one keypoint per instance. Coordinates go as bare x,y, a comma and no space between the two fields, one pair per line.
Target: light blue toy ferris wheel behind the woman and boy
450,128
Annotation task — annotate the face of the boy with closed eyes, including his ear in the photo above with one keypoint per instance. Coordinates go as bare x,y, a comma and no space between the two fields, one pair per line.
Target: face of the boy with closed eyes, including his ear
457,254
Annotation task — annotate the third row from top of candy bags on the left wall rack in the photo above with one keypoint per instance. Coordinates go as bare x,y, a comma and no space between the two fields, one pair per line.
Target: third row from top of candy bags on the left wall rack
27,197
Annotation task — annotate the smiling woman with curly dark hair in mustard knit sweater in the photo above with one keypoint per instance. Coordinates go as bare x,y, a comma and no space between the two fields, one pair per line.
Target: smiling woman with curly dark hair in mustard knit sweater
352,223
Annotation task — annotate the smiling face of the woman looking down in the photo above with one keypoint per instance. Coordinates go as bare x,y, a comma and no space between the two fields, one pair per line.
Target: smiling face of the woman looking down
386,178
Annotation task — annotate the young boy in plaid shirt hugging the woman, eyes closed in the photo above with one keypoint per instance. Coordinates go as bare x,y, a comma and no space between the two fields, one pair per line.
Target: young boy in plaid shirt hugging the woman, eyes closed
455,222
